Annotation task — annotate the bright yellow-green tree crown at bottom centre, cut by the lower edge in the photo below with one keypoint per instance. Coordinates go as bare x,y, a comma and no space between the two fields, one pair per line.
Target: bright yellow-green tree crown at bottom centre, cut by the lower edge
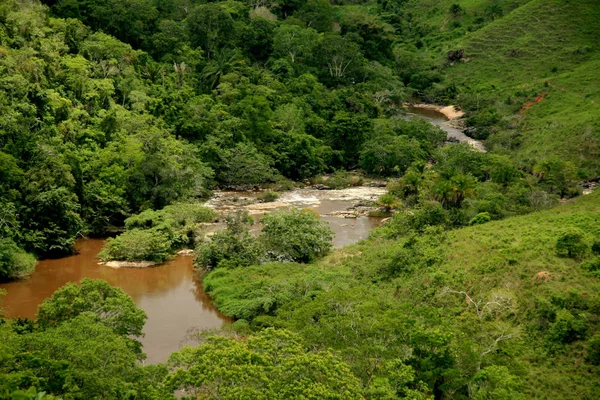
272,364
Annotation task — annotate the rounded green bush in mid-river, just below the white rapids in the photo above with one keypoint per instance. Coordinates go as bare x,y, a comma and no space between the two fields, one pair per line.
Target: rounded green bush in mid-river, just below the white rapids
295,235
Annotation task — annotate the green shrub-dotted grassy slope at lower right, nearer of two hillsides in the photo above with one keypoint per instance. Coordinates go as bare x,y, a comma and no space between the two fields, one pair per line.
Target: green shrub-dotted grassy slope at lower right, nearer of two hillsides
474,311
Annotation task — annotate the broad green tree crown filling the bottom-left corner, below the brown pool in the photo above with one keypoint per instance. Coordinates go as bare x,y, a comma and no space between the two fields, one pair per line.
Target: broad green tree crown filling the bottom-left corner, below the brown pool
82,354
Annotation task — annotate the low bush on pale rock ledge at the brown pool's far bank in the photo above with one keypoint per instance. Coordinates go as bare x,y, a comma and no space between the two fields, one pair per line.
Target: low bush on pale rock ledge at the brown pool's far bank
138,245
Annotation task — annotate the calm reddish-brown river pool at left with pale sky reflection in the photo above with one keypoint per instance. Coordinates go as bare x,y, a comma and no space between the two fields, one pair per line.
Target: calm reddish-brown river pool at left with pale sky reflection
170,294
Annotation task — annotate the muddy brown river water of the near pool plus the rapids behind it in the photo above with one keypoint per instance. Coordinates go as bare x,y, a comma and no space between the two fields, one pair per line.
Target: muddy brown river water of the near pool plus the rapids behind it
171,294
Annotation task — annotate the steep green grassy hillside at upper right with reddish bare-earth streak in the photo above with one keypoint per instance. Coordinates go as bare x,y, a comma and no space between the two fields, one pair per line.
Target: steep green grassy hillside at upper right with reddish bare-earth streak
538,66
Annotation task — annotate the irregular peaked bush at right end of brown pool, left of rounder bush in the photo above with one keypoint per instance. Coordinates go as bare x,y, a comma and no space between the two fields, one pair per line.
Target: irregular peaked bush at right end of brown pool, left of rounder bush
232,247
